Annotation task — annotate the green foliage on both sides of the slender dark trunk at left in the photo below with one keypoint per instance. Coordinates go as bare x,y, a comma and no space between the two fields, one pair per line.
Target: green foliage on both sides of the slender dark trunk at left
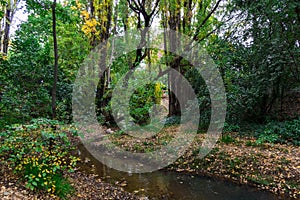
31,60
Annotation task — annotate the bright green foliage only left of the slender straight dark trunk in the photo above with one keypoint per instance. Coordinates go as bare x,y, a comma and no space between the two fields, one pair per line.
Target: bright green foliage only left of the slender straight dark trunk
28,95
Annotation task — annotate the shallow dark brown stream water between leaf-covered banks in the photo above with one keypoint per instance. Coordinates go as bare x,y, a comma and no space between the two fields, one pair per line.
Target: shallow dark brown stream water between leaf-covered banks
173,185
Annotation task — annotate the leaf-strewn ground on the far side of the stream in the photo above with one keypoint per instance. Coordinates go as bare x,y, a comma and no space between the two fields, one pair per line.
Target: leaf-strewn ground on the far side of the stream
271,167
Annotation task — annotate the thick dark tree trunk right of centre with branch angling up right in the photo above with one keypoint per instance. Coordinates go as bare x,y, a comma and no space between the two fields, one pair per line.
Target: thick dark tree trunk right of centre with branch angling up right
180,23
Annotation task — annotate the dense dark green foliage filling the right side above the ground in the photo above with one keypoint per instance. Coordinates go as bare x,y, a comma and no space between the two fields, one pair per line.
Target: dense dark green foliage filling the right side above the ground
258,63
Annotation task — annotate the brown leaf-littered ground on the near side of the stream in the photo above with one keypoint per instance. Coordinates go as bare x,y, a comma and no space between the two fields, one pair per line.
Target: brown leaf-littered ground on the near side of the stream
87,186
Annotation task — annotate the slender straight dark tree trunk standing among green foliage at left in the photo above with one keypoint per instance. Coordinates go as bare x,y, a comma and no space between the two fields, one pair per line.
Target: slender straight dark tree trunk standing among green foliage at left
55,60
